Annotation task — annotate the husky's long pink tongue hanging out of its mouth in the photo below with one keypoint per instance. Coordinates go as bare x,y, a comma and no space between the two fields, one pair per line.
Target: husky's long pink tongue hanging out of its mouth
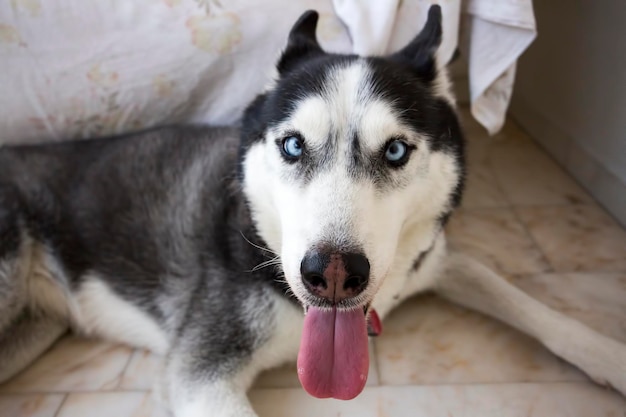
333,359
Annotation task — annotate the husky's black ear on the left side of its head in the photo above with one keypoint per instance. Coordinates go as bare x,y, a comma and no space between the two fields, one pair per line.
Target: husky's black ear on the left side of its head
302,43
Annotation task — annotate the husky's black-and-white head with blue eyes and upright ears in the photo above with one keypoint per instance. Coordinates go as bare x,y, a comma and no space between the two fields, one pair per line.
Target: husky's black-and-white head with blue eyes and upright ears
343,158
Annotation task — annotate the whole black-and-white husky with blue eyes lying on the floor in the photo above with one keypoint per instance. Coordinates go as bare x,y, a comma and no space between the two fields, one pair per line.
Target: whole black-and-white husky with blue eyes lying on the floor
233,251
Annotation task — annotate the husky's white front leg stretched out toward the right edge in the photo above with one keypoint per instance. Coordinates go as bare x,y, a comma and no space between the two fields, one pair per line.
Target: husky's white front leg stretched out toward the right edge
472,284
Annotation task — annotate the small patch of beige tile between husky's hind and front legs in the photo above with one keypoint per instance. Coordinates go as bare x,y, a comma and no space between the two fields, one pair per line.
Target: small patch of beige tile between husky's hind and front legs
142,372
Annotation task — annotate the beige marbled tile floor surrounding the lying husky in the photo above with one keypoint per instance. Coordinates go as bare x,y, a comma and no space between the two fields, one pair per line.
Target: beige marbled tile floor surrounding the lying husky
522,216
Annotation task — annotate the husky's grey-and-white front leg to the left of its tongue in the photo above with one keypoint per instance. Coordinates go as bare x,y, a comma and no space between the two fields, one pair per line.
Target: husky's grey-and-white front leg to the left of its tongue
211,366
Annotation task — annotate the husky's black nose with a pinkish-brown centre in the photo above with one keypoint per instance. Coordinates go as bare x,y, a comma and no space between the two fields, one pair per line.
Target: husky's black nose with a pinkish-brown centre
335,276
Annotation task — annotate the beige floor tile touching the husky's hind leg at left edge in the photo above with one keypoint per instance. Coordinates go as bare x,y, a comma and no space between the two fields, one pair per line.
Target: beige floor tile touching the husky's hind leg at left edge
73,364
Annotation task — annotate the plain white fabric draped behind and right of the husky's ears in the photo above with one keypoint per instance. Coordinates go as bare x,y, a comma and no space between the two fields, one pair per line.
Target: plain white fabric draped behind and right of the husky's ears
493,34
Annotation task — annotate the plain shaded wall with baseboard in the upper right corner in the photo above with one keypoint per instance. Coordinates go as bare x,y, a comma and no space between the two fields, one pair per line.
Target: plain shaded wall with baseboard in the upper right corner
570,92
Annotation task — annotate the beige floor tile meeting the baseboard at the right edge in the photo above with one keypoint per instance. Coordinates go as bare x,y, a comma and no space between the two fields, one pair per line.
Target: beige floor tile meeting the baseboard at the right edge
577,238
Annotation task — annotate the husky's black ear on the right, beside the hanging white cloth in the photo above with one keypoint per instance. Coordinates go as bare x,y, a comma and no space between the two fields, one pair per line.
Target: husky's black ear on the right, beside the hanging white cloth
420,52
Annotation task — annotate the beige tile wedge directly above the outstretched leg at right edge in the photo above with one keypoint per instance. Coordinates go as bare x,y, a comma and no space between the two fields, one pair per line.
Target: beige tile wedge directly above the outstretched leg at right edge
596,299
